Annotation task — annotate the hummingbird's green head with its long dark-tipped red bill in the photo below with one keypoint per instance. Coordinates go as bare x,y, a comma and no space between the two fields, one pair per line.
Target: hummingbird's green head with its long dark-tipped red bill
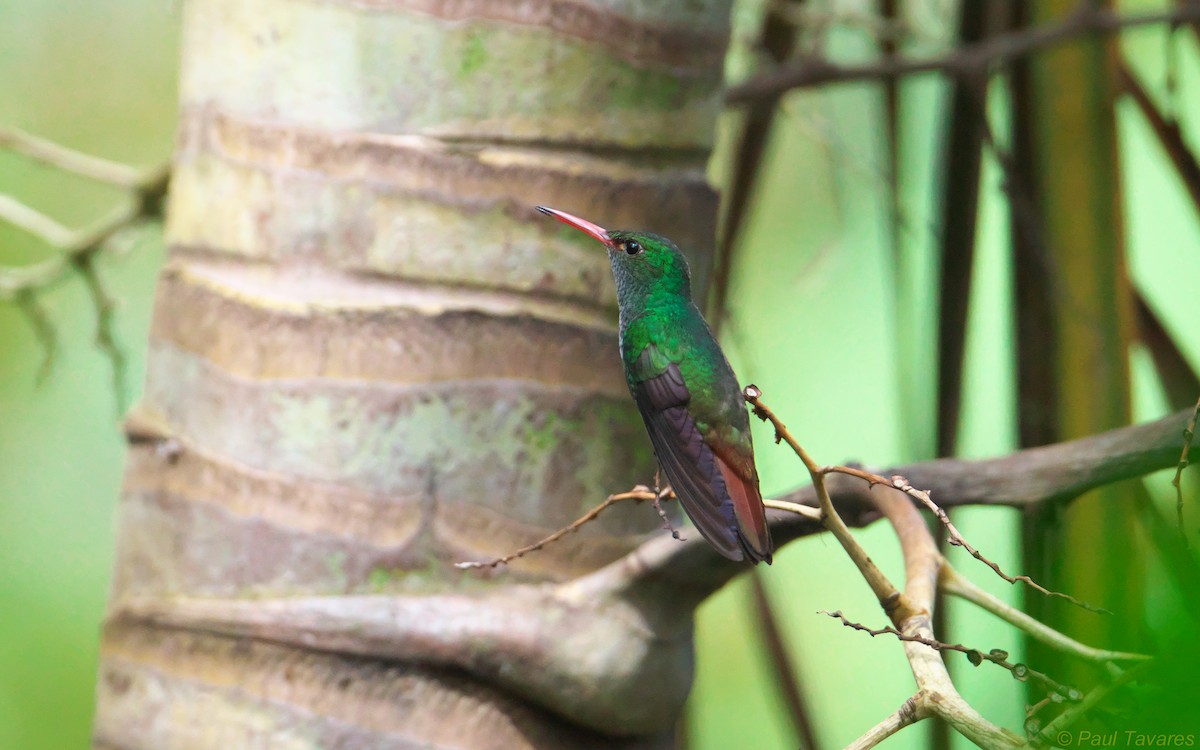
644,265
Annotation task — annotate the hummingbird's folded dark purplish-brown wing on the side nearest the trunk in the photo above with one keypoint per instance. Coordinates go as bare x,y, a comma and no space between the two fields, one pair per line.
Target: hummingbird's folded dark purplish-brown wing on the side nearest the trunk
697,473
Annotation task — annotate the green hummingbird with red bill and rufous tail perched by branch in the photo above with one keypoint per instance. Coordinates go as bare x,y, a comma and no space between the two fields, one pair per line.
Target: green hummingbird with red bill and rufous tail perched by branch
686,391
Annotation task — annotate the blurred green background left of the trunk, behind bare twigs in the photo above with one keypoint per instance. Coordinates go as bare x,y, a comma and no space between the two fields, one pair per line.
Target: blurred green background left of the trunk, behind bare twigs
99,77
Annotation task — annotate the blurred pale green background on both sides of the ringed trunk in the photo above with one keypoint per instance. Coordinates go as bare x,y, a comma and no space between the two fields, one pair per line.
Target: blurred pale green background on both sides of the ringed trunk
813,321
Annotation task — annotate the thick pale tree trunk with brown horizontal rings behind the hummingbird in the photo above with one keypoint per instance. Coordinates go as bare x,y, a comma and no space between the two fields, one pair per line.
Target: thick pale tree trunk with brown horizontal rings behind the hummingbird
371,358
